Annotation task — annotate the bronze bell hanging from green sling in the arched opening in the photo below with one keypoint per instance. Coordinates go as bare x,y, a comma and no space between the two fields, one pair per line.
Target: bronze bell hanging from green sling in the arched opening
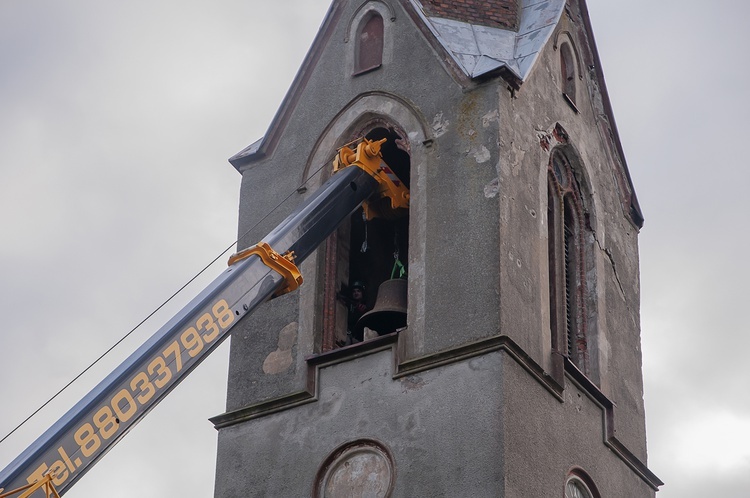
389,312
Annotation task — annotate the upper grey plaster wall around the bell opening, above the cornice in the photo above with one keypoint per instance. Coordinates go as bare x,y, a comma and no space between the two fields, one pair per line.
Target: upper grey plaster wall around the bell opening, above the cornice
454,225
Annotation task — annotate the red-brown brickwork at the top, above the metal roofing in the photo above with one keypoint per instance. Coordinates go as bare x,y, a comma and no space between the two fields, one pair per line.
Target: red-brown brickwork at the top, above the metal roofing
496,13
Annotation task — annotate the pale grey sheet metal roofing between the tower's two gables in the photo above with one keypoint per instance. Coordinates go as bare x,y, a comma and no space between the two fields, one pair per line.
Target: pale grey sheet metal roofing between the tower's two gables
479,50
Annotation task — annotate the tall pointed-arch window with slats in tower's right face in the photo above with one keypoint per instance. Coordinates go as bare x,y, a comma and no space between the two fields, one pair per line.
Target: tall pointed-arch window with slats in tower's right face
567,269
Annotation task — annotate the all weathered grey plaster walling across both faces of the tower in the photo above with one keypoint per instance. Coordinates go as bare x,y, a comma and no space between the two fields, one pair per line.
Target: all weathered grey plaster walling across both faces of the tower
478,268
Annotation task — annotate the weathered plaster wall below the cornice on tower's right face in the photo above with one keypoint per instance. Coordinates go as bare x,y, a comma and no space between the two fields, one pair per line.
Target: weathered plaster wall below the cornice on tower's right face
545,439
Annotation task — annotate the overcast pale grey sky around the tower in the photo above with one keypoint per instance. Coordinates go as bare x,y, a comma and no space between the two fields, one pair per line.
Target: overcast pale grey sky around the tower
116,120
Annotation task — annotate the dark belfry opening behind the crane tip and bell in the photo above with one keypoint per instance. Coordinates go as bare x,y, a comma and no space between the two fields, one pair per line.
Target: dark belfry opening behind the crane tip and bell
362,255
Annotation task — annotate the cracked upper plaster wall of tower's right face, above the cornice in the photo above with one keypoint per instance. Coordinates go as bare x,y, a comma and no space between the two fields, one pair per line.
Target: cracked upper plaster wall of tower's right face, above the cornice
528,118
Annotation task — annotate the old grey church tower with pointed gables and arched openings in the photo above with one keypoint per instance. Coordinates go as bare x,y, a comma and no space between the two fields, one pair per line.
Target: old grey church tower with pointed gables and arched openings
518,373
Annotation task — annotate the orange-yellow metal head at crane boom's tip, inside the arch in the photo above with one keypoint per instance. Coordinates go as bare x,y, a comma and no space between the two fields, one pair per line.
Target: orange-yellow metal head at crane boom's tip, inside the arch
367,156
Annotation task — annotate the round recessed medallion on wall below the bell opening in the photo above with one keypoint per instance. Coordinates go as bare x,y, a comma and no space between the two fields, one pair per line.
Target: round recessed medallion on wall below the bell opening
358,469
